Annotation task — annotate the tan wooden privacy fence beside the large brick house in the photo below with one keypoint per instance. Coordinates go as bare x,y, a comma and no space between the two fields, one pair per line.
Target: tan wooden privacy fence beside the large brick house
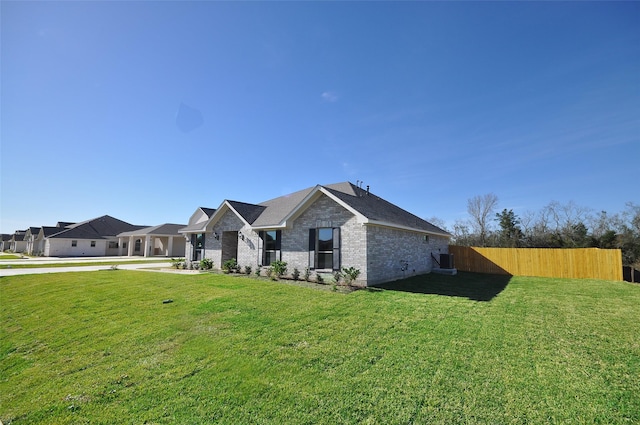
605,264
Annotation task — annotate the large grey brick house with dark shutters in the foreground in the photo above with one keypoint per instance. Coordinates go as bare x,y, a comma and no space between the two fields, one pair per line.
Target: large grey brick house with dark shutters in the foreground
323,228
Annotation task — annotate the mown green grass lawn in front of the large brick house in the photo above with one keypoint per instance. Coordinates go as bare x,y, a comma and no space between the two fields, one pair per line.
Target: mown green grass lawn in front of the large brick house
102,348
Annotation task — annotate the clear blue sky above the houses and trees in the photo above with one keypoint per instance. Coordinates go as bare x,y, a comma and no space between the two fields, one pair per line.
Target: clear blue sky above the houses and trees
147,110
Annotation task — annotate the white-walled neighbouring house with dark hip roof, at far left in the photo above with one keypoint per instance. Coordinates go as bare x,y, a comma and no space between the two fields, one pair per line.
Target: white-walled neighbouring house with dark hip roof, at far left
96,237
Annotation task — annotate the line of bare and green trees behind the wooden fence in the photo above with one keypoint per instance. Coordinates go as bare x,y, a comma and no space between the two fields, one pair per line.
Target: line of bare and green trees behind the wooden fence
556,225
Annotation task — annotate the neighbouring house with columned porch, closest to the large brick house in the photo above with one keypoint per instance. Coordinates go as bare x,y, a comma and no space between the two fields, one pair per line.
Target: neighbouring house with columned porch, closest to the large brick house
161,240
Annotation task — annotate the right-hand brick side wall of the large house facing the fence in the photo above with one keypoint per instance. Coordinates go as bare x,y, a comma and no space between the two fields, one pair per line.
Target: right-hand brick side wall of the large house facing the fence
396,254
